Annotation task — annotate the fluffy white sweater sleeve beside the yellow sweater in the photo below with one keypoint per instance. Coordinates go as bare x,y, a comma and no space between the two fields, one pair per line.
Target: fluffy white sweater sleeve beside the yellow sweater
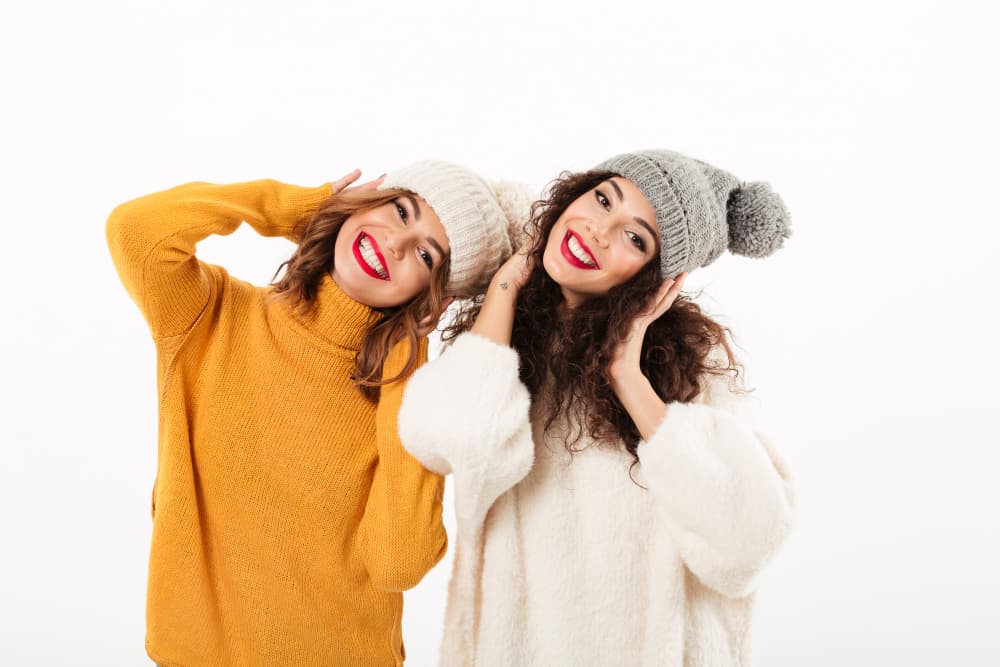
467,413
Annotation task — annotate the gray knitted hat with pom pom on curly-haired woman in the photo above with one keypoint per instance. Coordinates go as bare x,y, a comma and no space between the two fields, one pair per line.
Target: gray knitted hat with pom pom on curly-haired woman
702,210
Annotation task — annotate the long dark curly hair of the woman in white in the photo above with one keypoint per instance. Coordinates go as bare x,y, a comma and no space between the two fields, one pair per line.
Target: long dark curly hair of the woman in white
566,353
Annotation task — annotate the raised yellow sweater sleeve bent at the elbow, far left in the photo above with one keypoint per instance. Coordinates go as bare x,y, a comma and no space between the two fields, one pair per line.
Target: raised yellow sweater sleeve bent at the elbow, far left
152,240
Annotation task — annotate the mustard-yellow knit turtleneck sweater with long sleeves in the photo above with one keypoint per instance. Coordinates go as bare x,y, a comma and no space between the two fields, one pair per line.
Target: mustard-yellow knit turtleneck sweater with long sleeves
287,517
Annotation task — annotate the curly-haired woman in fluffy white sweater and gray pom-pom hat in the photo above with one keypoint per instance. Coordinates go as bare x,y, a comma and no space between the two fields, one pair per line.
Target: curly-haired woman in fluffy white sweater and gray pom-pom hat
614,505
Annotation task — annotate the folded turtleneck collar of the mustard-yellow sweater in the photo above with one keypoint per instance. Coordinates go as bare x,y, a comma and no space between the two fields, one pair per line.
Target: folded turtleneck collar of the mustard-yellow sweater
336,319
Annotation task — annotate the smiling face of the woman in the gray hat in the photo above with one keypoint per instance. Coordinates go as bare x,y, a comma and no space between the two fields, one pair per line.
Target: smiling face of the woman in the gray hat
601,240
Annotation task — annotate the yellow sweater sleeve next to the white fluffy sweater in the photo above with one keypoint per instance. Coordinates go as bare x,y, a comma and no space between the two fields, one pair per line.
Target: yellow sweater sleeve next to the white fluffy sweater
402,532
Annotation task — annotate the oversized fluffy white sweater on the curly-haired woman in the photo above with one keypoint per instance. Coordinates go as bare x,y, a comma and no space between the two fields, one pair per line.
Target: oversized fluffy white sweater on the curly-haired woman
563,560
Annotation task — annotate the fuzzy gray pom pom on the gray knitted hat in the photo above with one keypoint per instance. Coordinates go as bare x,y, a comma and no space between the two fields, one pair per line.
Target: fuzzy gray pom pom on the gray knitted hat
758,220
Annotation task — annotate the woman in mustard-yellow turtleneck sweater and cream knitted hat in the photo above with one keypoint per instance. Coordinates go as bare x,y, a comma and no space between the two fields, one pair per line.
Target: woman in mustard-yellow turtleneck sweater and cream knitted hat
287,518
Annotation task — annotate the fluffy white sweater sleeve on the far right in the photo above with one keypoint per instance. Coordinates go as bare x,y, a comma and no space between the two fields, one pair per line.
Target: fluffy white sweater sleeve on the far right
722,489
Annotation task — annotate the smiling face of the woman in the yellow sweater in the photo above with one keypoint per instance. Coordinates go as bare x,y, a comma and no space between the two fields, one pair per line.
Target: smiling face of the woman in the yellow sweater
384,256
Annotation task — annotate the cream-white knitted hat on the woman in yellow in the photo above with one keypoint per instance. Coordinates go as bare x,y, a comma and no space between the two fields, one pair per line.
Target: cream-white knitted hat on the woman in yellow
479,217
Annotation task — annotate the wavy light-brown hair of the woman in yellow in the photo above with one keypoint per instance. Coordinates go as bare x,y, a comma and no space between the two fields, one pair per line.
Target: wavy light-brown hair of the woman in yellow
313,259
